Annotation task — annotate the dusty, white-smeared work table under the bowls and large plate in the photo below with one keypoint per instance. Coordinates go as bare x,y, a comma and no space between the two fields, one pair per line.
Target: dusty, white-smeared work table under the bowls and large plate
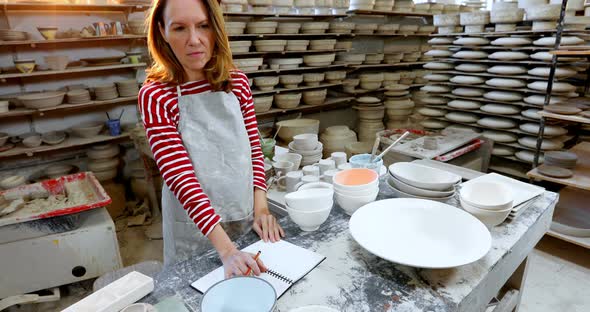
352,279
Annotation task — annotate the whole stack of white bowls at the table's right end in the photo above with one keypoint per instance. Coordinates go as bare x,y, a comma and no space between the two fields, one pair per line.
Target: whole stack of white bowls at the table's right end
490,202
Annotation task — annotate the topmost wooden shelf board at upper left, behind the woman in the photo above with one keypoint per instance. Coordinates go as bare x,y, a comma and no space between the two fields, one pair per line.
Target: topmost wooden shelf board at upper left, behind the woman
59,7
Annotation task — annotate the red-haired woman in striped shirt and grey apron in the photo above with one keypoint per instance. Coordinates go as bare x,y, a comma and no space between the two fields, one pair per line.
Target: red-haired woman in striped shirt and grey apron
199,118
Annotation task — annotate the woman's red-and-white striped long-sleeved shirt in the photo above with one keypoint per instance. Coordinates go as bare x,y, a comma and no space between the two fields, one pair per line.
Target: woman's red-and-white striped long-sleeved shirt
158,105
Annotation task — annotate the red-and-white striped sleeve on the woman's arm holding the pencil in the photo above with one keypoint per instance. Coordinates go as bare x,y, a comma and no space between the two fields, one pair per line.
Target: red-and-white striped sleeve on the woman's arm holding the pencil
158,109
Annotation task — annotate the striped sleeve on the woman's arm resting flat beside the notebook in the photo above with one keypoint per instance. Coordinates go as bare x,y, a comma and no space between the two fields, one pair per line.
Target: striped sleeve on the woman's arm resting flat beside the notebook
241,89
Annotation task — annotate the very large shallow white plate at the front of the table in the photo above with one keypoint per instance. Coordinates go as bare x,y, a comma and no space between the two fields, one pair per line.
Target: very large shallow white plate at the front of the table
420,233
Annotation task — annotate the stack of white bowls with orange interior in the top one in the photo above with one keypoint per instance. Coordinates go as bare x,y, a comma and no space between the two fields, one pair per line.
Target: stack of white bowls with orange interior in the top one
354,188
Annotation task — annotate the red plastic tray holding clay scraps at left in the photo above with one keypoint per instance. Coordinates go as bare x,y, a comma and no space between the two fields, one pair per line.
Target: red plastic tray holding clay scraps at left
96,199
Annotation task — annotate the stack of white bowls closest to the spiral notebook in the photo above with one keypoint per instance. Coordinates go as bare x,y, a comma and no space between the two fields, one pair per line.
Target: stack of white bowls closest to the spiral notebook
310,208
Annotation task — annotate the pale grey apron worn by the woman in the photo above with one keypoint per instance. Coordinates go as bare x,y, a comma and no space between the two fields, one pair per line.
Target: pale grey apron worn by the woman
213,132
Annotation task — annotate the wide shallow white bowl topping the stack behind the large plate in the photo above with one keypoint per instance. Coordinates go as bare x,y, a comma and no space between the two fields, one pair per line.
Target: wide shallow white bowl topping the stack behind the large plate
424,177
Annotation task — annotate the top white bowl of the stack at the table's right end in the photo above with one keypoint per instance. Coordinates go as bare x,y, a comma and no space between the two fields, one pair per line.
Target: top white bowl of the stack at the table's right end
487,195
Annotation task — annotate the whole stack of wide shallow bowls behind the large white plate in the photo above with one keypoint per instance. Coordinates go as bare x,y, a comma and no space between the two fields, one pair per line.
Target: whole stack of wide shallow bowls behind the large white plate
415,181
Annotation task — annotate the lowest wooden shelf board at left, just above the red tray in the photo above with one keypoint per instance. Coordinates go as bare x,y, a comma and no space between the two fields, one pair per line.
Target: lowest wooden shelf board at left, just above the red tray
70,142
